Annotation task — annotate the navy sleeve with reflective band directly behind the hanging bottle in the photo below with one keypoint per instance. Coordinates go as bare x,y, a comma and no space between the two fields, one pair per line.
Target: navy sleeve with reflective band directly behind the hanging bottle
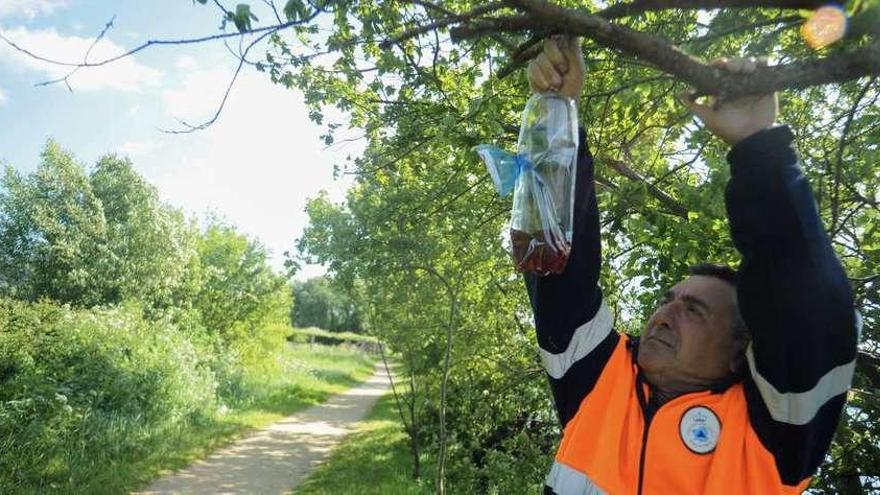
574,326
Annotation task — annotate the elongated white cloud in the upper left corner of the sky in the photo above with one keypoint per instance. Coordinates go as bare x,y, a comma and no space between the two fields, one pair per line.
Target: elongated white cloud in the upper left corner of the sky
125,74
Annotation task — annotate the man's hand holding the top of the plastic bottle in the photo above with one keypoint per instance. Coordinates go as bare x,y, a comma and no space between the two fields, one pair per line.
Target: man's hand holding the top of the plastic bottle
560,67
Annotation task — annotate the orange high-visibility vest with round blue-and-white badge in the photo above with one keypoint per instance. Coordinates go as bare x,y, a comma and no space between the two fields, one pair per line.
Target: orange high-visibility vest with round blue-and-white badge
700,443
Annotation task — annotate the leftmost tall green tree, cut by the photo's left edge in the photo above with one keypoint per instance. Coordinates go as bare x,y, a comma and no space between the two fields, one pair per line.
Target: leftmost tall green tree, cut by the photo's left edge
52,232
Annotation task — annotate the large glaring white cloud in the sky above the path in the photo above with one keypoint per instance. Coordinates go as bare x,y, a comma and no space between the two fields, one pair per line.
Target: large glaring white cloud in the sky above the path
256,165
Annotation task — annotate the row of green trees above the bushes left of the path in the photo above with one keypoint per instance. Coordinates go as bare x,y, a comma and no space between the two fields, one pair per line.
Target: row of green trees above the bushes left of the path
103,237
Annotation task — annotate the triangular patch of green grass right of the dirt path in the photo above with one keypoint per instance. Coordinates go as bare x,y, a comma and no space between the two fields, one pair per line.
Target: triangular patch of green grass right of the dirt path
374,460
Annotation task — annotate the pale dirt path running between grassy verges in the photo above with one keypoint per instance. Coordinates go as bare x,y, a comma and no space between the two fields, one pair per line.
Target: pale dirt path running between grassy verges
279,457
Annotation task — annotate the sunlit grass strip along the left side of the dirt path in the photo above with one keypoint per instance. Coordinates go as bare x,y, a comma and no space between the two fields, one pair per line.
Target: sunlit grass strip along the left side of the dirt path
311,374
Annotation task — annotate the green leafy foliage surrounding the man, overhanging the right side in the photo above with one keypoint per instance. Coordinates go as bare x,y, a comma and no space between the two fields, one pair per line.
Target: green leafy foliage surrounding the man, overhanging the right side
422,210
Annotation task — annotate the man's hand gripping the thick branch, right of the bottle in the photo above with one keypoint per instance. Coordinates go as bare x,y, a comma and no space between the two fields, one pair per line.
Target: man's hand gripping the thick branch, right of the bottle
735,120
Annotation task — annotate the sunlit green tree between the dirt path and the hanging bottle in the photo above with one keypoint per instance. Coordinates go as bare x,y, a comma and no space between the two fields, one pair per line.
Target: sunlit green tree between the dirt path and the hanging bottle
427,283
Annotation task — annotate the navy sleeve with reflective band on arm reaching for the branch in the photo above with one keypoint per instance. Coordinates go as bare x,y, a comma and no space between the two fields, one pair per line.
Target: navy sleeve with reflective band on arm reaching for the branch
796,301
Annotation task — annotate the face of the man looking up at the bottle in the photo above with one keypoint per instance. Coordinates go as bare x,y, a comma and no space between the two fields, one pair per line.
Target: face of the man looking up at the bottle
689,341
